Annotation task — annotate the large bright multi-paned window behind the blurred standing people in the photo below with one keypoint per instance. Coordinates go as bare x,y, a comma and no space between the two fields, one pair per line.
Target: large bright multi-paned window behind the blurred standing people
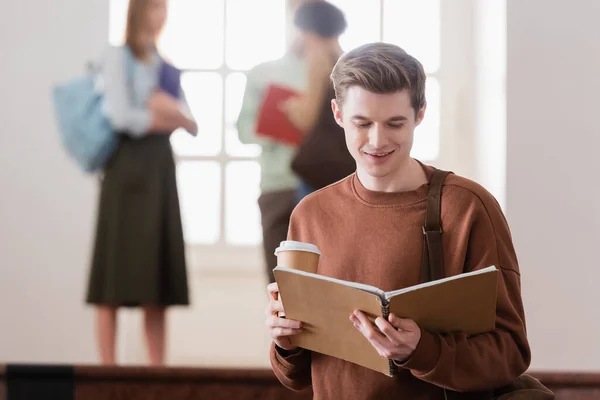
215,42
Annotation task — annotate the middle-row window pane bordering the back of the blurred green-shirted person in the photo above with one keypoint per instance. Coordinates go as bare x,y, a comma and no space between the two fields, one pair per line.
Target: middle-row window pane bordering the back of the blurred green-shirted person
234,93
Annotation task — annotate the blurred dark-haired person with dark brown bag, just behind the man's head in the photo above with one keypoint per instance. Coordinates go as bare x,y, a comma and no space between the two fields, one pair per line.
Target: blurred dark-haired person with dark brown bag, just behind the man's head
322,158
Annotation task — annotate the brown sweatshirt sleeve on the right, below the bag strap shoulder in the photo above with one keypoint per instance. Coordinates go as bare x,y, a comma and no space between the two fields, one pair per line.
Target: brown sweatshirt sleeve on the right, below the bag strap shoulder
487,361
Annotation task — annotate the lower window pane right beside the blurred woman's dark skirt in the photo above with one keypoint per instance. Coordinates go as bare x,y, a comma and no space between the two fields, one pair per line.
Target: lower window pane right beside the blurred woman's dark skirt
199,184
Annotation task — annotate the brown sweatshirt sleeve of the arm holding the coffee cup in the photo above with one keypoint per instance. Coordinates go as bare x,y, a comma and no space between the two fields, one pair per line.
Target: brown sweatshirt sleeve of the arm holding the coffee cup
292,369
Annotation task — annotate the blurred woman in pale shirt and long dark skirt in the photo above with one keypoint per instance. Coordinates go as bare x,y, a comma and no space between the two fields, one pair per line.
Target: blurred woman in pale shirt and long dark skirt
139,258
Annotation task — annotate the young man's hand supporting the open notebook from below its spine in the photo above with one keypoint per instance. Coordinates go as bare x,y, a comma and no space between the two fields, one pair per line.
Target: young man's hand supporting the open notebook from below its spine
396,339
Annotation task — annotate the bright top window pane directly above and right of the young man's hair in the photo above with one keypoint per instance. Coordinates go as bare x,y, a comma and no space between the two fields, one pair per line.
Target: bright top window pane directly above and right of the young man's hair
414,26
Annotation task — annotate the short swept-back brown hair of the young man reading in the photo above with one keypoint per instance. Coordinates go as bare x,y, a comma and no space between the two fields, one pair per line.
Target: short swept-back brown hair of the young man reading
380,68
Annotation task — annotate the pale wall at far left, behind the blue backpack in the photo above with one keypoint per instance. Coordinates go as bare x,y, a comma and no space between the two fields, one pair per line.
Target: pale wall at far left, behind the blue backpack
47,208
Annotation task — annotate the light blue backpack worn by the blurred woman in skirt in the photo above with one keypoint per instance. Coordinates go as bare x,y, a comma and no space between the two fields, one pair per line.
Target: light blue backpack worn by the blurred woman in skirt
86,132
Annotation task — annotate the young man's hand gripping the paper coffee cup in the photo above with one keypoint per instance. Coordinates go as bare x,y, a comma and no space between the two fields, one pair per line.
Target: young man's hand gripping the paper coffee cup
280,328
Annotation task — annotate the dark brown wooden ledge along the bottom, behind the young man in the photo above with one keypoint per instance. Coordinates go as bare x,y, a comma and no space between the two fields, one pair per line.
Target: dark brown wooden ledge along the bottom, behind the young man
23,382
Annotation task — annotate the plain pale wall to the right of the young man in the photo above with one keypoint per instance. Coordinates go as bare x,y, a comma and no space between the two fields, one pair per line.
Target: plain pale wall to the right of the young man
553,186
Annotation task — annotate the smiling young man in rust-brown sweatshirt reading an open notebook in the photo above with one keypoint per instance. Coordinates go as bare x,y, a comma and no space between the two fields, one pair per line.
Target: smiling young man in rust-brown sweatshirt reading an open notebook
370,229
